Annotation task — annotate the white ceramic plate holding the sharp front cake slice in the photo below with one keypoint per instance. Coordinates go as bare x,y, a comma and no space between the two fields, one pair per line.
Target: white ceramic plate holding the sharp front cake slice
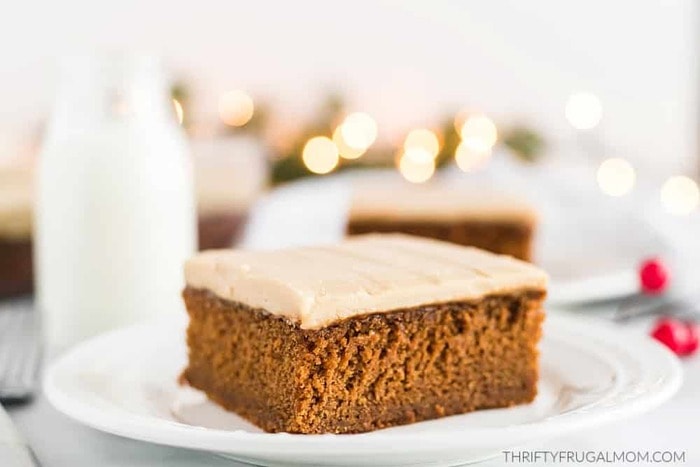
125,382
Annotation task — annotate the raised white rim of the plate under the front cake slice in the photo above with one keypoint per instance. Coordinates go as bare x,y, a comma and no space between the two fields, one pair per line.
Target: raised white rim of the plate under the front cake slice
178,434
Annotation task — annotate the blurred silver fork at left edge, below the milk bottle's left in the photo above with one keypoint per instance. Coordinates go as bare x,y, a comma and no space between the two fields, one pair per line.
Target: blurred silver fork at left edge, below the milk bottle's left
19,351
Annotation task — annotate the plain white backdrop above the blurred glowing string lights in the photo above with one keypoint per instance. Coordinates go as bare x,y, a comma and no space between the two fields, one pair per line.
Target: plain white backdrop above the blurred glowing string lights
404,62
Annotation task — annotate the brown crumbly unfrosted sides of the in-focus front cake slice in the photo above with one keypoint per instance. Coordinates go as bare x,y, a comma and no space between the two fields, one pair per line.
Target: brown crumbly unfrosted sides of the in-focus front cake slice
366,372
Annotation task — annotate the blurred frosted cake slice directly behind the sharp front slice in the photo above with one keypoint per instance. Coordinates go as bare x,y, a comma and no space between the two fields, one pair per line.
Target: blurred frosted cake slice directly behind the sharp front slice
482,217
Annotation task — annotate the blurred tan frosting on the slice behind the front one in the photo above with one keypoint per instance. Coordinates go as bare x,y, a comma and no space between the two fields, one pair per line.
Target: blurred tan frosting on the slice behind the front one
436,203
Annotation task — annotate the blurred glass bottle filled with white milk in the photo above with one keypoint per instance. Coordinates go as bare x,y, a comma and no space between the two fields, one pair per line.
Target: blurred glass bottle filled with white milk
115,213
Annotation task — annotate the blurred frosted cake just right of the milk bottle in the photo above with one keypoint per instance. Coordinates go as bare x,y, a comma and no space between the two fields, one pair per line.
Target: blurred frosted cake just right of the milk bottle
230,174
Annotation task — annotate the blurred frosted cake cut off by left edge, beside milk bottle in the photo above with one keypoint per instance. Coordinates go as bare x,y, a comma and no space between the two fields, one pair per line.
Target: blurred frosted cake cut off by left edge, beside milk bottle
16,190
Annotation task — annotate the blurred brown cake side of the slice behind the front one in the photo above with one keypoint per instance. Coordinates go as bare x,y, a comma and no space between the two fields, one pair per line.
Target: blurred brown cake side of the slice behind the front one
500,237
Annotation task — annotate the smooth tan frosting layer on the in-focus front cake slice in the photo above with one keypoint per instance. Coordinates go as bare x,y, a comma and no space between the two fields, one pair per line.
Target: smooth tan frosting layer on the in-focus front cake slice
317,286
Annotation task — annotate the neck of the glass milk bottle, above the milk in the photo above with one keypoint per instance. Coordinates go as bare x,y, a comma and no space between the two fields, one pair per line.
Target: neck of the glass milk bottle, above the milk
96,92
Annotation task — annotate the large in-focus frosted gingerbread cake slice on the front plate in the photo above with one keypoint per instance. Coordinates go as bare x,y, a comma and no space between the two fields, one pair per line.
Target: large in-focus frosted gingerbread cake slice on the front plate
377,331
